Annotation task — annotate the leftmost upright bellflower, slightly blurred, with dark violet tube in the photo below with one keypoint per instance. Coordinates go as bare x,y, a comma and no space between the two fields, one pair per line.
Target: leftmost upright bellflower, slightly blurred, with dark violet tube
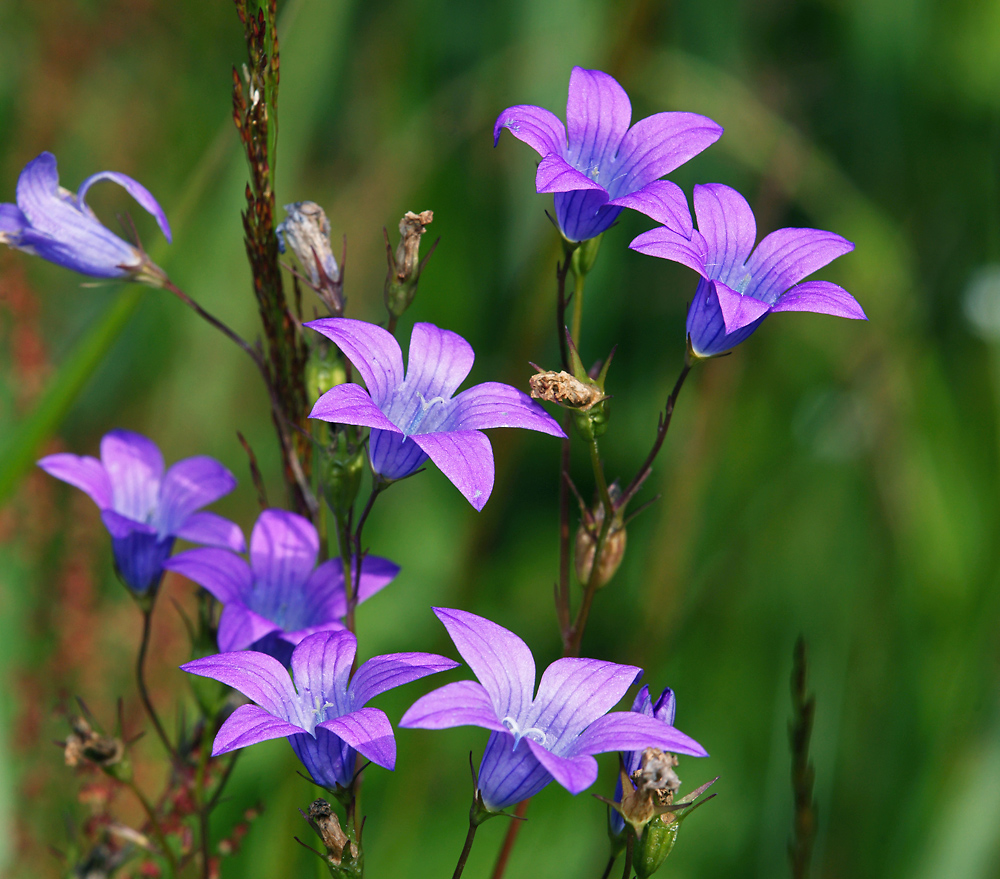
144,508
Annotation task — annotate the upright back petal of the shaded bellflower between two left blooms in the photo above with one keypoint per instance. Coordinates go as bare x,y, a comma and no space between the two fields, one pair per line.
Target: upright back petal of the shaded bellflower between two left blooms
283,550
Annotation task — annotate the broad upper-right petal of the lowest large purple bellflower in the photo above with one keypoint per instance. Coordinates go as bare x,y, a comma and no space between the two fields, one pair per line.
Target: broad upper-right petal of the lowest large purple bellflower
574,692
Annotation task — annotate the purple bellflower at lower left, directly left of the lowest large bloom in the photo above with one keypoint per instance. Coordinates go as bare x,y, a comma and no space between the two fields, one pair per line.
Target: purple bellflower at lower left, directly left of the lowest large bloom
323,715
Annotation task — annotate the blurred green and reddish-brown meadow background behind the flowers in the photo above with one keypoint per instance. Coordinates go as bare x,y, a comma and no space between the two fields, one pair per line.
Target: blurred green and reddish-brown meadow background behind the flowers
829,478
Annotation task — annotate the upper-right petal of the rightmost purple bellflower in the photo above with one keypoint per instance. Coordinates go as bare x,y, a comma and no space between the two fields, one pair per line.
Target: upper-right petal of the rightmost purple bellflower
786,256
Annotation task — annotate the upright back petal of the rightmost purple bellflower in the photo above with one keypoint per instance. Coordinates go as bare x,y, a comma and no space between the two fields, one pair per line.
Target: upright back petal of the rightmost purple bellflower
729,228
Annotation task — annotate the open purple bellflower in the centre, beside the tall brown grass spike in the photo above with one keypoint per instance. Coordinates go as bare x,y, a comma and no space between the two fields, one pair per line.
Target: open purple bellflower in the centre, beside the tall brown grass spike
416,417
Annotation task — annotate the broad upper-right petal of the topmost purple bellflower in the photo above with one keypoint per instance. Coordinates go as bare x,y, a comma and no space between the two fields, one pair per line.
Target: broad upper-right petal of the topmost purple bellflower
658,144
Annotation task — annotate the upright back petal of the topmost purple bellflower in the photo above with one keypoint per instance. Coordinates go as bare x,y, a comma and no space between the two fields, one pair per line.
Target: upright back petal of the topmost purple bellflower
598,113
